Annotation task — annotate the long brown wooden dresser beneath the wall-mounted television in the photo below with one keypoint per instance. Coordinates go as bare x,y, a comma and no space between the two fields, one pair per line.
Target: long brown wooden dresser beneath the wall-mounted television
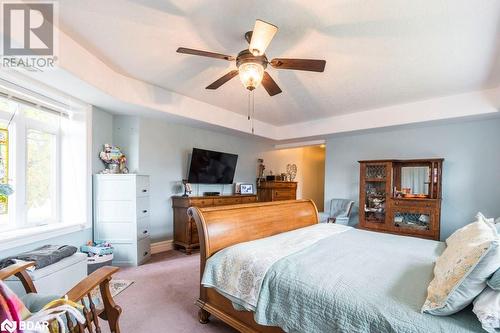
185,232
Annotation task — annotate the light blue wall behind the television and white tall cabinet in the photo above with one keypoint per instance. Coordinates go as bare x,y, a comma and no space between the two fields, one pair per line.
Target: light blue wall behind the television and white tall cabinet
162,150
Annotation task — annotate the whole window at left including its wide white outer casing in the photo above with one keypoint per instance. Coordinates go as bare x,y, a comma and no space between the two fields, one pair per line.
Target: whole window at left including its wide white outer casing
45,158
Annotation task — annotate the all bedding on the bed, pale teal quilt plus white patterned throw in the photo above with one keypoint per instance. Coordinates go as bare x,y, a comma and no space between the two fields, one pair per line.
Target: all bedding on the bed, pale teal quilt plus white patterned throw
345,280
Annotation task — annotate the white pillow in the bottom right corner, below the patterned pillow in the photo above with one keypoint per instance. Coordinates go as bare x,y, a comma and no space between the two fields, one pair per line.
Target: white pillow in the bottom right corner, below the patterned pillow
487,309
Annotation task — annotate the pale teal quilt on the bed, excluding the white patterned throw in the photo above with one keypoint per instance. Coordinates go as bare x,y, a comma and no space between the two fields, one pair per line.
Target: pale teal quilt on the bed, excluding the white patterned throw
356,281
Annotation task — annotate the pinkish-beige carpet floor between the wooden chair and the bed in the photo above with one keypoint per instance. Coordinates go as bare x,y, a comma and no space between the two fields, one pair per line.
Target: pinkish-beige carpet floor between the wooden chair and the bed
162,297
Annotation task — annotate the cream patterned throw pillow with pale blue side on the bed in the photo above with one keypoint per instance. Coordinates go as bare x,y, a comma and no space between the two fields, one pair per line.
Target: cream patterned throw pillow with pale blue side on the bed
472,255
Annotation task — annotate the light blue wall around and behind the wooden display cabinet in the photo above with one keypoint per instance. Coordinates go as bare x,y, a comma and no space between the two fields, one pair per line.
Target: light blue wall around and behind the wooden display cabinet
471,175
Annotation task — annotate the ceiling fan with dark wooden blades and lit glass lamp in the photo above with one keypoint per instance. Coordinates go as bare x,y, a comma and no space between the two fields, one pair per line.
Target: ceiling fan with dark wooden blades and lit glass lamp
252,62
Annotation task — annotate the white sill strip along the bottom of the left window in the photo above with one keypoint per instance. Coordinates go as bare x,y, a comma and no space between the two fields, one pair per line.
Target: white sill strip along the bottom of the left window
20,237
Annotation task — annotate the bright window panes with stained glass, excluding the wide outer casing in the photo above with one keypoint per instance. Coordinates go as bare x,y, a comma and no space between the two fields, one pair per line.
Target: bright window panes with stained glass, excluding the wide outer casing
30,163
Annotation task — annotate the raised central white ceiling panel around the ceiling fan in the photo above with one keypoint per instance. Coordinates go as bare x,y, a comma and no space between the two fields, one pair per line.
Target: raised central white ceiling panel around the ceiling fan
378,53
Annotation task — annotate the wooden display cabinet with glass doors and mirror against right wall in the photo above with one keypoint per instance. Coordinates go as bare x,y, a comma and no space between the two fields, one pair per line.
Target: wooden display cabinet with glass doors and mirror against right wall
401,196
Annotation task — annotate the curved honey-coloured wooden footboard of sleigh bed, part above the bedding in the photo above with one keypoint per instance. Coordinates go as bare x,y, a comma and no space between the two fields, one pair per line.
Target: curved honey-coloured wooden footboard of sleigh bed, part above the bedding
223,226
